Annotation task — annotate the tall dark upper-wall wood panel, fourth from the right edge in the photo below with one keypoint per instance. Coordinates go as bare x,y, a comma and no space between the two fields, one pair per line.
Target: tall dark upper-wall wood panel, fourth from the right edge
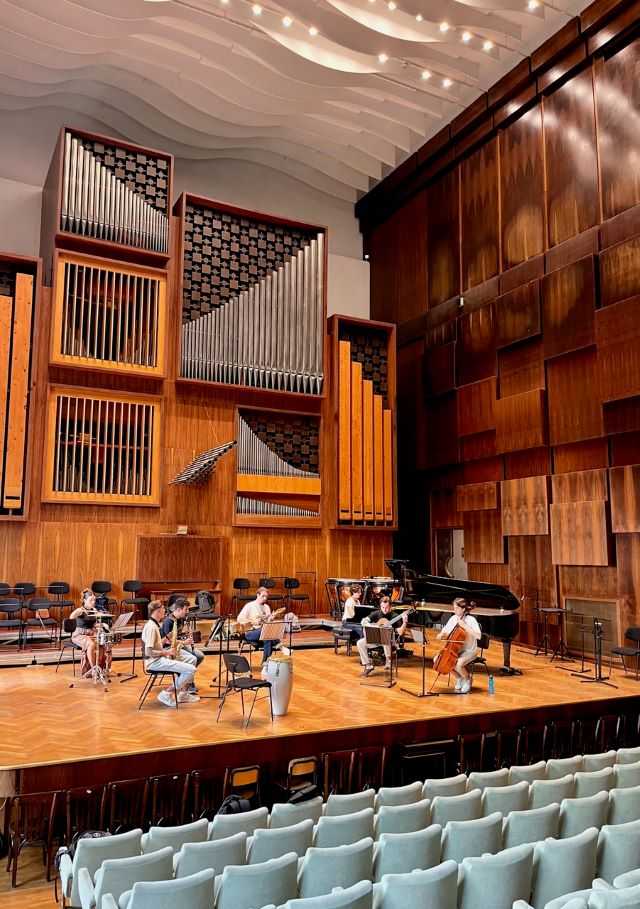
479,215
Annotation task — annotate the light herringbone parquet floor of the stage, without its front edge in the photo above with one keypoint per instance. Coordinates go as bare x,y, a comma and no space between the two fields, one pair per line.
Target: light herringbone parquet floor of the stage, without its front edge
44,721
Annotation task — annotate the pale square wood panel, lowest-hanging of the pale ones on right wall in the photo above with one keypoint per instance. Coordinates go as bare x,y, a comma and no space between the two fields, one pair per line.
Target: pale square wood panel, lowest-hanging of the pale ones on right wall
579,533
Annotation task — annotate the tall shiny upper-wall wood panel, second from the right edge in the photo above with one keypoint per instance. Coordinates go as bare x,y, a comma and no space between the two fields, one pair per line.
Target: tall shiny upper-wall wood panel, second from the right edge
571,166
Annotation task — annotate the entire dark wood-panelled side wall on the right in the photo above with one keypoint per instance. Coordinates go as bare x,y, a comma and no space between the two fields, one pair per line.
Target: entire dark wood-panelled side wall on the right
516,288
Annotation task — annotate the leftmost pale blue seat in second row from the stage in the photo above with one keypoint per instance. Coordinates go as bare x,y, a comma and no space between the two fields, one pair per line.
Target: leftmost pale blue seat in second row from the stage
116,876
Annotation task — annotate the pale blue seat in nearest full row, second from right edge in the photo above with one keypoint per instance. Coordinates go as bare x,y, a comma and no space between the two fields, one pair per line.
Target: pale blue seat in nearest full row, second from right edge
563,866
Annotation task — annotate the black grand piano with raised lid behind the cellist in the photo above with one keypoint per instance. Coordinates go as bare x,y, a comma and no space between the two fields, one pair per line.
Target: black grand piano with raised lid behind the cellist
431,598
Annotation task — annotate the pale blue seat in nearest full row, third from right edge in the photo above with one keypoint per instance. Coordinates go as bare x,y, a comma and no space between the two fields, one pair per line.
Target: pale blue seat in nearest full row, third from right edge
495,881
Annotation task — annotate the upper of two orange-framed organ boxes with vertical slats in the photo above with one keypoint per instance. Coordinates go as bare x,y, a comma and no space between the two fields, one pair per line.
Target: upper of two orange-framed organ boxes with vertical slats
108,315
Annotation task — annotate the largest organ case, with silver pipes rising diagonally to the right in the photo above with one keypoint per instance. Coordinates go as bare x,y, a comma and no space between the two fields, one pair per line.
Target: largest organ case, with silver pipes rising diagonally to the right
253,296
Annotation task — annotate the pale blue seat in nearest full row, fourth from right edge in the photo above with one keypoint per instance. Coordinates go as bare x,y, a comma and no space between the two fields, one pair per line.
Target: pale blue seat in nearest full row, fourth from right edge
435,887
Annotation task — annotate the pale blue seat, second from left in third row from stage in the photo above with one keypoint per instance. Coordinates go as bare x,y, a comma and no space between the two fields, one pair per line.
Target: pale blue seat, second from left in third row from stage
252,886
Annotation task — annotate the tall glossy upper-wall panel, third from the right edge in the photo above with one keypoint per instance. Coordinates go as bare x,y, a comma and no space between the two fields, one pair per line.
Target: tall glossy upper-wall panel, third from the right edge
522,189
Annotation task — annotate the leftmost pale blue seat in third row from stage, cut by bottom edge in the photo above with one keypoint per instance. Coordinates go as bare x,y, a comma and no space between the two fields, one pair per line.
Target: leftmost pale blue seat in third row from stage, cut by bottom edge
194,892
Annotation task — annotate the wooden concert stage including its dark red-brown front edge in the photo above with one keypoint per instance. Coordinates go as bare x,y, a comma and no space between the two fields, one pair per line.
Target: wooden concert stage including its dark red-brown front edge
57,736
